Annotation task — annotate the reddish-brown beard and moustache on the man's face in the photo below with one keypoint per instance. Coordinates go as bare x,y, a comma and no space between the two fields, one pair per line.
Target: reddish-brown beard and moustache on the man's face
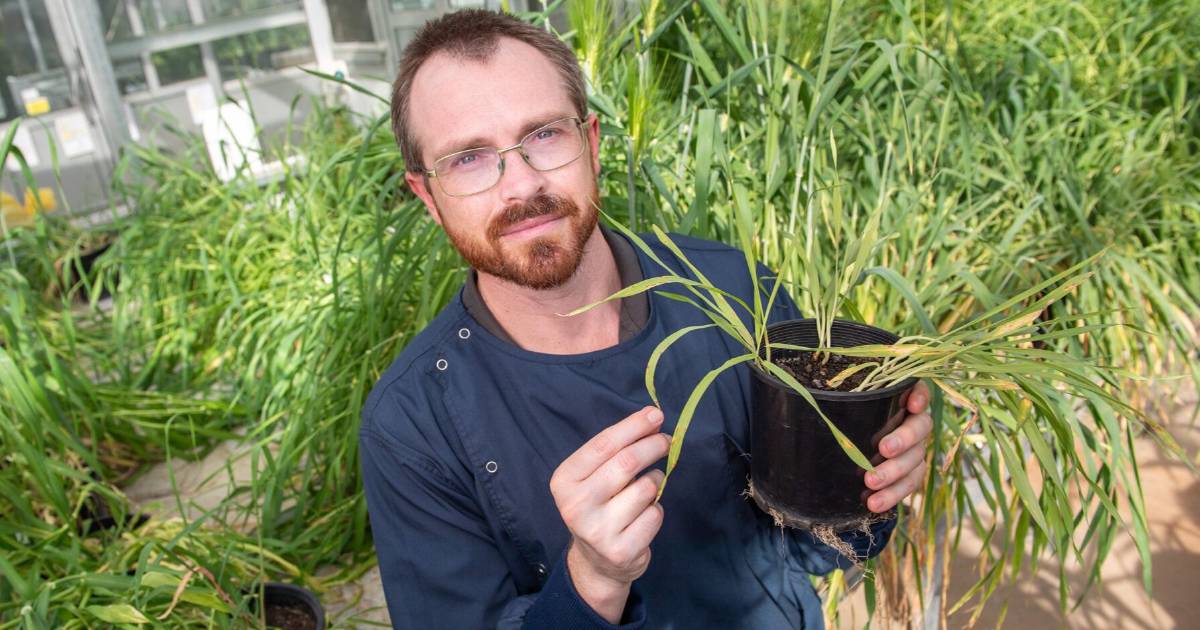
541,265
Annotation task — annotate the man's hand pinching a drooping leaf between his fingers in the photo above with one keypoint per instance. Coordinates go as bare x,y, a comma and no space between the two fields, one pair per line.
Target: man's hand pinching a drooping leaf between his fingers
611,515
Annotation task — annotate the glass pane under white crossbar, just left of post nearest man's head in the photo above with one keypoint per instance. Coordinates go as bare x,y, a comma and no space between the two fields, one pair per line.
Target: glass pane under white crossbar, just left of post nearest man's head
263,51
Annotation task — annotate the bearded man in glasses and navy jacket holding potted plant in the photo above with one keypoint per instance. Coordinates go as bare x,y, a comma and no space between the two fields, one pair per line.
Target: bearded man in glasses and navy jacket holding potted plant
509,455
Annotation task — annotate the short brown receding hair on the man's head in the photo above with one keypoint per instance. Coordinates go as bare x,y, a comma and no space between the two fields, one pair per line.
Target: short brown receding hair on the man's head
475,34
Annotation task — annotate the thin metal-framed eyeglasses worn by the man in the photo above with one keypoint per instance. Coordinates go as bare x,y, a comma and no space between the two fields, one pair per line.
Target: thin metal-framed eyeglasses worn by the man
475,171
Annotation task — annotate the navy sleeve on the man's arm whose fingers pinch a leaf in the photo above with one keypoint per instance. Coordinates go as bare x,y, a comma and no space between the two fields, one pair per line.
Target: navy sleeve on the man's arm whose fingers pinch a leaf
440,563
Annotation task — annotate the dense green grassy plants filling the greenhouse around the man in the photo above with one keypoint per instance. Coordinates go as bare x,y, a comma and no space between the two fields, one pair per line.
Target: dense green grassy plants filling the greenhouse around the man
1007,143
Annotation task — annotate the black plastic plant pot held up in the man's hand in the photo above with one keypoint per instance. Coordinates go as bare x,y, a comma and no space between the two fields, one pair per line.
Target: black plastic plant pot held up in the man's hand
800,473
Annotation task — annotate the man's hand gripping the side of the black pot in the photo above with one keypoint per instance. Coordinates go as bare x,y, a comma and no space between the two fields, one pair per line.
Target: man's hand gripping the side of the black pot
904,470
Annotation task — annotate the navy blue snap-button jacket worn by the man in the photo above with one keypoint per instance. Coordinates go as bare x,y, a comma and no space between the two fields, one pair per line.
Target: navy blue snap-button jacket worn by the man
460,439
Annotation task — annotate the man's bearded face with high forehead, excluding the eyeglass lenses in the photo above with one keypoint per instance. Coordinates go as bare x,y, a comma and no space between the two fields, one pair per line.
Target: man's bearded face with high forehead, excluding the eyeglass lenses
531,227
